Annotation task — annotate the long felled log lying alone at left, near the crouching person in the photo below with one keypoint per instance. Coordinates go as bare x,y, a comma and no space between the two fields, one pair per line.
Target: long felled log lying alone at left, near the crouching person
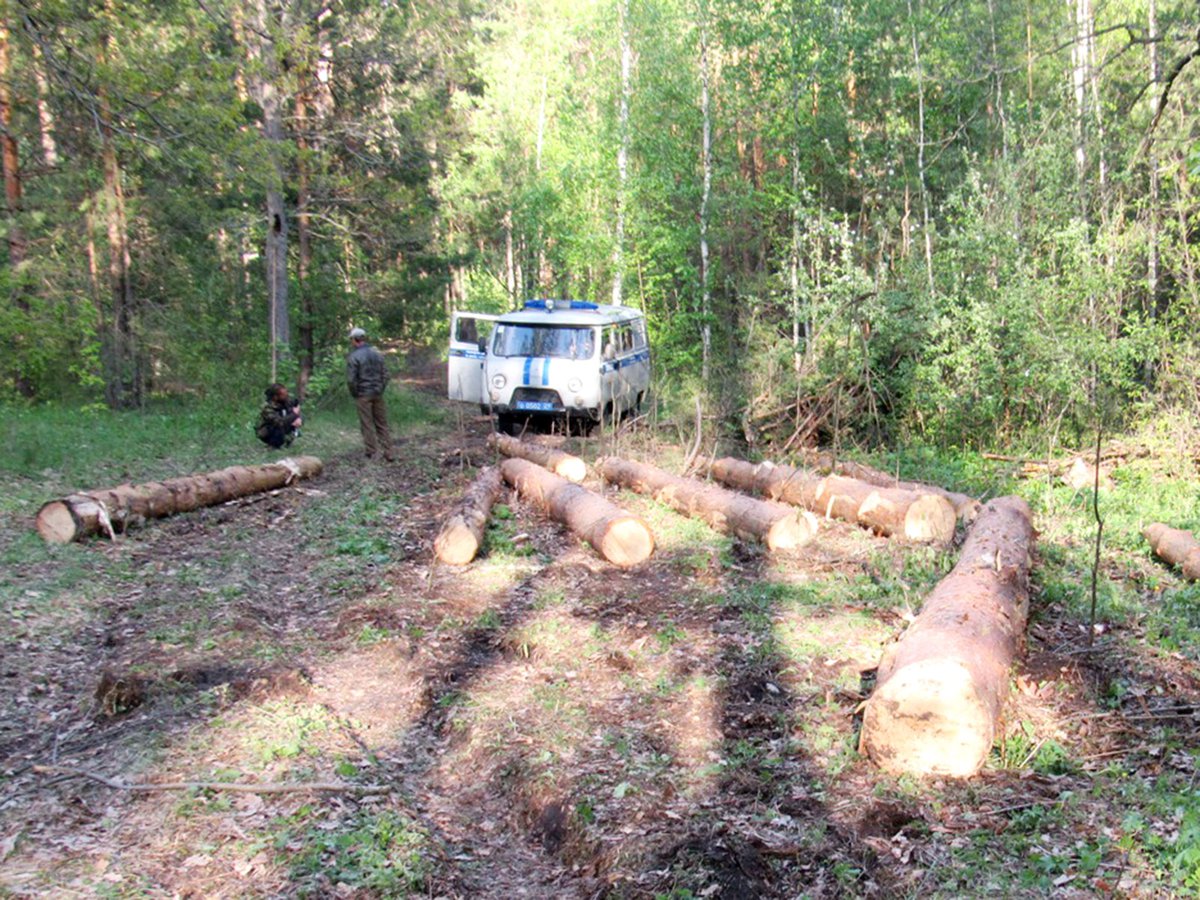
113,511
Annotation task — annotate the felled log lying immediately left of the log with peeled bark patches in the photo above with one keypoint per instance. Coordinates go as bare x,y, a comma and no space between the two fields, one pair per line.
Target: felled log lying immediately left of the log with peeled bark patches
779,527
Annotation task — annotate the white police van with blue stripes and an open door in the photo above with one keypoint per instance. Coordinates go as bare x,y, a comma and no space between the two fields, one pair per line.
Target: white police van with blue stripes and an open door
566,359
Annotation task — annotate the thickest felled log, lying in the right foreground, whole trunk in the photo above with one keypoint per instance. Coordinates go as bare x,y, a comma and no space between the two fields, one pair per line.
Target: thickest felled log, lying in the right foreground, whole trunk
937,705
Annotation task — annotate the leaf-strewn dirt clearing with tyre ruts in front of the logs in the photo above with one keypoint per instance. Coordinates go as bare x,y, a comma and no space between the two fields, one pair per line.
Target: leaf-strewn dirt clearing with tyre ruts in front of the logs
537,724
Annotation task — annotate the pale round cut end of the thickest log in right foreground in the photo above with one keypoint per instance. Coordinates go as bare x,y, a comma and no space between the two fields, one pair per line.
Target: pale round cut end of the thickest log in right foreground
929,719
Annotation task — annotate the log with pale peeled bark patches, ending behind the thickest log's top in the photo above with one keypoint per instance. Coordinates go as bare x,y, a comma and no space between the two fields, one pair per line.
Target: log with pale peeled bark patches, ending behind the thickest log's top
886,511
